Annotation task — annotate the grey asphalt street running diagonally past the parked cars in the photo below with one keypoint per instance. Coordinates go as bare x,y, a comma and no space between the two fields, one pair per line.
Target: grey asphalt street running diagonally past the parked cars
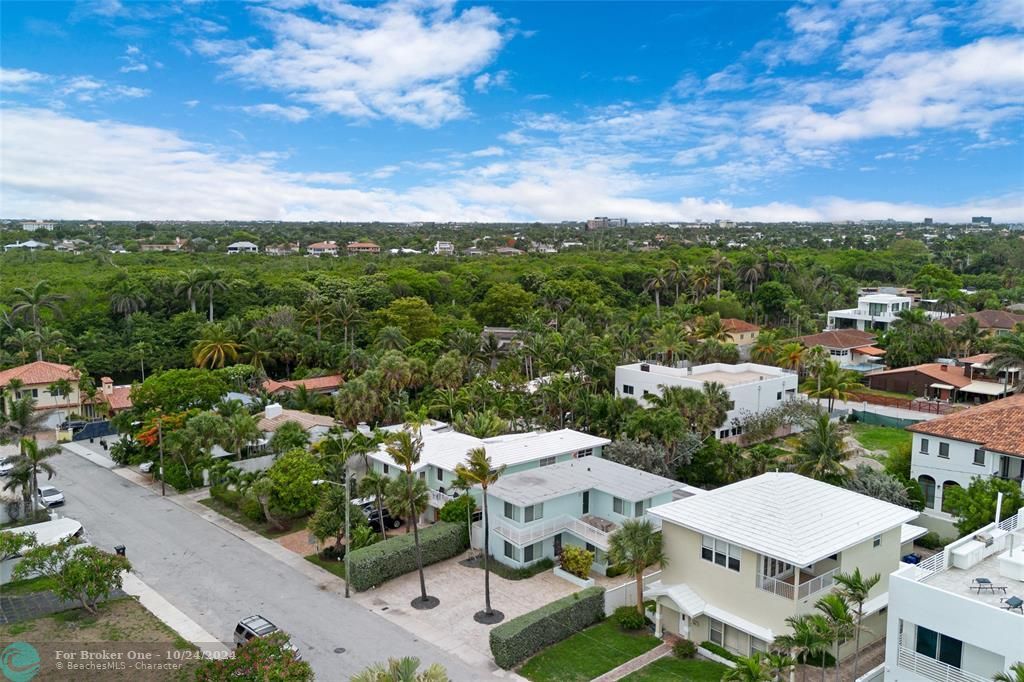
218,579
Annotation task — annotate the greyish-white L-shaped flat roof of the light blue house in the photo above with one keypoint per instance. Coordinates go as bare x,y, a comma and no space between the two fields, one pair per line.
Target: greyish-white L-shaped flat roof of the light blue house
533,486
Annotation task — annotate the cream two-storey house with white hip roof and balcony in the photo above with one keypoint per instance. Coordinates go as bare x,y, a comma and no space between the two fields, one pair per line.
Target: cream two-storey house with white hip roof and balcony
746,557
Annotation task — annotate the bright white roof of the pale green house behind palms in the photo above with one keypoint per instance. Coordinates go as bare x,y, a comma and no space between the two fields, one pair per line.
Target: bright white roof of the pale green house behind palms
447,449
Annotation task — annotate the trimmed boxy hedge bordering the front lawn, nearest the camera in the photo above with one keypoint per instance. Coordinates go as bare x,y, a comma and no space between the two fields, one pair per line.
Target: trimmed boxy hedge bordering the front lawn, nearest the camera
519,640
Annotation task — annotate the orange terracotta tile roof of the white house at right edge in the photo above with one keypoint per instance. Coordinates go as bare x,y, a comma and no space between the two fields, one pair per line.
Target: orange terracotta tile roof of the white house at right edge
998,425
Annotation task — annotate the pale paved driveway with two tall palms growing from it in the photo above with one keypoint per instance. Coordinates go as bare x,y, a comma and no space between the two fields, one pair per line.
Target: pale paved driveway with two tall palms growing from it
451,626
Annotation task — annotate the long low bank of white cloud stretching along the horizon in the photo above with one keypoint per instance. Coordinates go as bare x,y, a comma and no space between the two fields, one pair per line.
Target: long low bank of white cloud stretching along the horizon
111,170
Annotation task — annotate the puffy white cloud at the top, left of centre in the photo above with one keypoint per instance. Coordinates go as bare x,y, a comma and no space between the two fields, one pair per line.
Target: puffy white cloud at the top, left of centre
403,61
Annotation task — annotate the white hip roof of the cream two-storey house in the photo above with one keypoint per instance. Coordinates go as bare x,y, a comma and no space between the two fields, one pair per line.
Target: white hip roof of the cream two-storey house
787,517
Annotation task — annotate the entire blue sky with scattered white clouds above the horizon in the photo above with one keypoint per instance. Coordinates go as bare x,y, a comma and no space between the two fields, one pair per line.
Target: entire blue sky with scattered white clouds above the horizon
425,110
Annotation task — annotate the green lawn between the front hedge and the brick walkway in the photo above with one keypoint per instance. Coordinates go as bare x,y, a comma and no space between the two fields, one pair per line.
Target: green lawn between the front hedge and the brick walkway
588,655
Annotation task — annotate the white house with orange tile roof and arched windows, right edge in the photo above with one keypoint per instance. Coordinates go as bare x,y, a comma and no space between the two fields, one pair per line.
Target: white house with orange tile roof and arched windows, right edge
949,452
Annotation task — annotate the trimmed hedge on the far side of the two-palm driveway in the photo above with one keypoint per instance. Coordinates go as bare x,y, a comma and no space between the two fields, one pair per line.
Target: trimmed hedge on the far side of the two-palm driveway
378,564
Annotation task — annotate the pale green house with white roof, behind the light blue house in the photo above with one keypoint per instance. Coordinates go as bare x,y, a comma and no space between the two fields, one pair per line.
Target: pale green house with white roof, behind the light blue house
445,449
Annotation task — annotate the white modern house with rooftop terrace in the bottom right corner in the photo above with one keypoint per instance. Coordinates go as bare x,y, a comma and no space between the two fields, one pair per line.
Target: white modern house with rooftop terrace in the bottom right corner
945,625
